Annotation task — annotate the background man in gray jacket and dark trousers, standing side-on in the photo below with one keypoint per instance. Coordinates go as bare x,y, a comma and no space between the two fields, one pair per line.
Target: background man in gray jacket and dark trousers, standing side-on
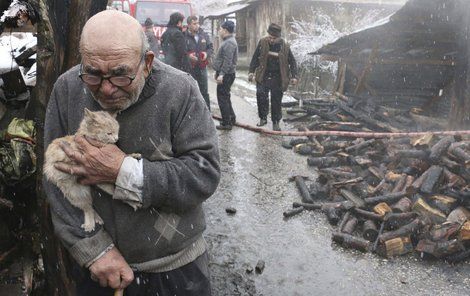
225,65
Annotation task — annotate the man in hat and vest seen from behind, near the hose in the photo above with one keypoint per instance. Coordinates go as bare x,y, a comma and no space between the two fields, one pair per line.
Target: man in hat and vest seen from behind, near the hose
273,66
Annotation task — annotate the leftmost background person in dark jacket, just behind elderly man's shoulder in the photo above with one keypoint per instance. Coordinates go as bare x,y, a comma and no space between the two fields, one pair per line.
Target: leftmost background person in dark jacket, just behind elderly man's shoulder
174,45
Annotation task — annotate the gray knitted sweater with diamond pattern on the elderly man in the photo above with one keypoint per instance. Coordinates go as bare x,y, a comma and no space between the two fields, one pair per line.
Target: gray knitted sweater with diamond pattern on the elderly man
171,127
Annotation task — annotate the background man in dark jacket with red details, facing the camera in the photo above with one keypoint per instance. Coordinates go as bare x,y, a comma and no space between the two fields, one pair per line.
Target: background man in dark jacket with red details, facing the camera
200,48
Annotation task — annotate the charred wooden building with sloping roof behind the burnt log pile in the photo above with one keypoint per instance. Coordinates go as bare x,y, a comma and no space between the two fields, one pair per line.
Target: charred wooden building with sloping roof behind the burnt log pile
415,59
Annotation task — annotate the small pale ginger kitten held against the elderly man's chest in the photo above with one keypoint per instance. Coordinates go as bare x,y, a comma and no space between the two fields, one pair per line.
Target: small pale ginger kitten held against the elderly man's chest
100,126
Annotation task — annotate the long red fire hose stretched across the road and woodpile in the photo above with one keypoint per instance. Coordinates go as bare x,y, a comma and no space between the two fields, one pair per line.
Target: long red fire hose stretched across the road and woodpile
375,135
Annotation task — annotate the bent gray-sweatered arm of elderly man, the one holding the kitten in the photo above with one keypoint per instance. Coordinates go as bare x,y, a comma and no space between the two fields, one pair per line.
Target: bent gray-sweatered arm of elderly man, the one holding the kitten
189,178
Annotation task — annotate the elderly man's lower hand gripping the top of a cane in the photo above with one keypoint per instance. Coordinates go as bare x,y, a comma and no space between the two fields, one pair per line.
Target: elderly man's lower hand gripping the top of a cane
112,270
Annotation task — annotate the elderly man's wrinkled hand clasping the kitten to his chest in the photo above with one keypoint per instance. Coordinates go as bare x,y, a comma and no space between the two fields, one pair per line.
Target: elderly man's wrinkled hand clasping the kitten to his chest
94,164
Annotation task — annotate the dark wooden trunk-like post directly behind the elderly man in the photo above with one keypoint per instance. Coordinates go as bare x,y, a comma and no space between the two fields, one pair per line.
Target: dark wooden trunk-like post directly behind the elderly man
57,52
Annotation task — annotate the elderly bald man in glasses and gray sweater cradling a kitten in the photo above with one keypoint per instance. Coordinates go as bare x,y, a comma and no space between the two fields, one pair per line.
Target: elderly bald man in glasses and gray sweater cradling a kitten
156,246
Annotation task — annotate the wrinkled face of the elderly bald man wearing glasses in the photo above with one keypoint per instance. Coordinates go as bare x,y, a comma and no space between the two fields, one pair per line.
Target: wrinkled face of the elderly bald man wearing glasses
115,63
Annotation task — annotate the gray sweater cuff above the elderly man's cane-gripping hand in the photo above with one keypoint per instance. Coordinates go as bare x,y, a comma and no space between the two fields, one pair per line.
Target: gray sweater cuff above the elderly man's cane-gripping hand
87,249
